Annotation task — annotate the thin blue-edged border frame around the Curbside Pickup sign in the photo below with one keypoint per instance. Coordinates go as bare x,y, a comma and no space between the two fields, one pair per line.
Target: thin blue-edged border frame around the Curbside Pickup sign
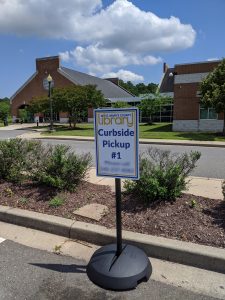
135,127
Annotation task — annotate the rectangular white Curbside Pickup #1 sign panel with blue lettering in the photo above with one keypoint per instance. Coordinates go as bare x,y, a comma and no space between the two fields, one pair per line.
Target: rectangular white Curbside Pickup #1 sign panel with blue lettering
116,140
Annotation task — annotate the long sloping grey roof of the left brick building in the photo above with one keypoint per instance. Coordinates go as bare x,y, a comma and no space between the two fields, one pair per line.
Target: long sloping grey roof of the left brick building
109,89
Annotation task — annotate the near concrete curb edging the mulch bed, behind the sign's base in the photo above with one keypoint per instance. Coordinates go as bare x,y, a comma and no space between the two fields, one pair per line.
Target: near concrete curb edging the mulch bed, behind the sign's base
209,258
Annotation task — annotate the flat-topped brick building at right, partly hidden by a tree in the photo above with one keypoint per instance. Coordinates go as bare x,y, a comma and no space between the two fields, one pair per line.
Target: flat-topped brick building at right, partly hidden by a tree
182,82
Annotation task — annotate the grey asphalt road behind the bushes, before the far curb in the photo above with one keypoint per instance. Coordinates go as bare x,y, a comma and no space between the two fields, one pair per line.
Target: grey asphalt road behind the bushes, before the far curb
210,165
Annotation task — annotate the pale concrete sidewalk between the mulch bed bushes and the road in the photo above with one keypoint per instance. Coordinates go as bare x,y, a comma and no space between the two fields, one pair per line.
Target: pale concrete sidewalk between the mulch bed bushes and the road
198,186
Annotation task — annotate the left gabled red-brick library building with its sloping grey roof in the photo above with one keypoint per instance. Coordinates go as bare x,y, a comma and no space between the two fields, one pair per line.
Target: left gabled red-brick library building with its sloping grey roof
62,77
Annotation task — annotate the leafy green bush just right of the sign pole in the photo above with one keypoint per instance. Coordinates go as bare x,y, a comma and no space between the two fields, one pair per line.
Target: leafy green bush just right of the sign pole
162,175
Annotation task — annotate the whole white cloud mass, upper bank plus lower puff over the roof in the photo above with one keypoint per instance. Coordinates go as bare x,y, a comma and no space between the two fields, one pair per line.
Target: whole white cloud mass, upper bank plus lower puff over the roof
106,38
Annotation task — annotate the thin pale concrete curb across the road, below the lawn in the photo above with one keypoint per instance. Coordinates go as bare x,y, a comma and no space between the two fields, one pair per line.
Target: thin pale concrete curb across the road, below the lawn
141,141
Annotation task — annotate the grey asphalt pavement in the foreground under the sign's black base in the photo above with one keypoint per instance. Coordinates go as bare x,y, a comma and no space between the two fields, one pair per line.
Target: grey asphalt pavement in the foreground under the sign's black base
28,273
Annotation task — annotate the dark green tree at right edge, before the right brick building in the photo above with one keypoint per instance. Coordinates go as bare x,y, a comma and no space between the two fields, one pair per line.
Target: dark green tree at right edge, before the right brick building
212,90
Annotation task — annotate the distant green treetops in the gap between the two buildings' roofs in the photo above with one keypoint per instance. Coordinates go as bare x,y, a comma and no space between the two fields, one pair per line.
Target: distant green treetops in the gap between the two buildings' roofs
139,88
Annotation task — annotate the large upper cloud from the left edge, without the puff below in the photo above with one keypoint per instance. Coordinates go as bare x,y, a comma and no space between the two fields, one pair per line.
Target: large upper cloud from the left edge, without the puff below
121,25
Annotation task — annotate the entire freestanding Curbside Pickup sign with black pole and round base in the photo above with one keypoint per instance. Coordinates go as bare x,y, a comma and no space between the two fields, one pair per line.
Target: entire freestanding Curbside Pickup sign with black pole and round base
118,266
